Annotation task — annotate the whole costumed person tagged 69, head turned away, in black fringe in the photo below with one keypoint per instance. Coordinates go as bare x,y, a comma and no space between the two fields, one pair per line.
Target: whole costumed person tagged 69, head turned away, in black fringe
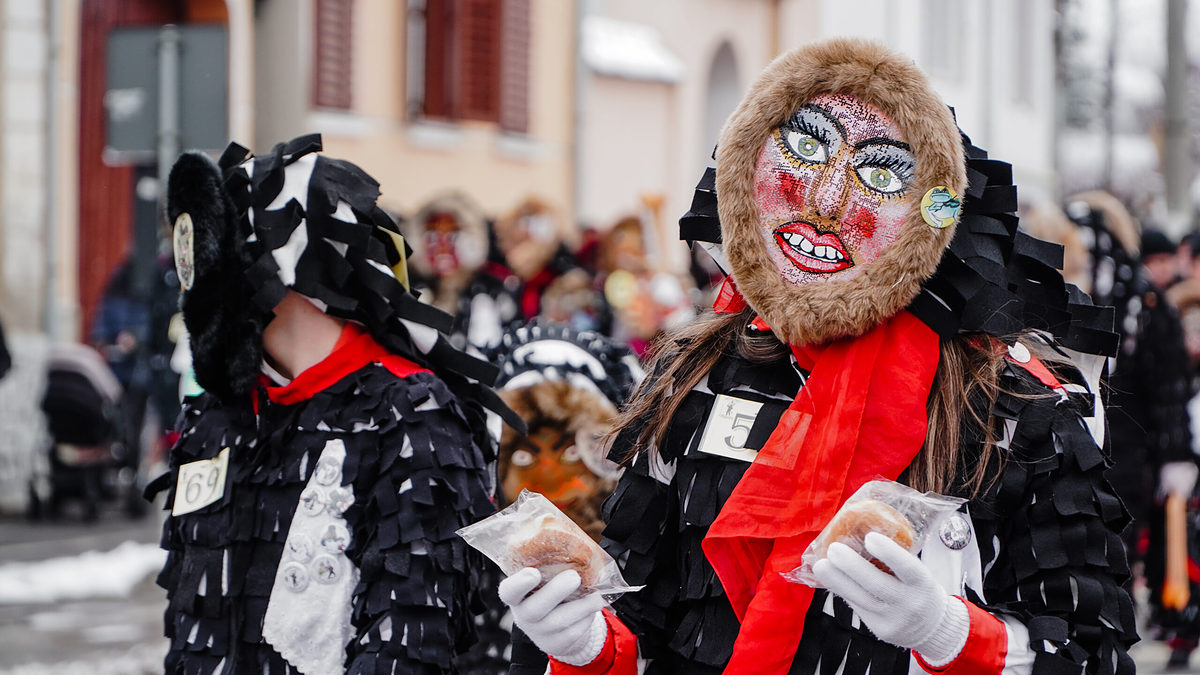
316,487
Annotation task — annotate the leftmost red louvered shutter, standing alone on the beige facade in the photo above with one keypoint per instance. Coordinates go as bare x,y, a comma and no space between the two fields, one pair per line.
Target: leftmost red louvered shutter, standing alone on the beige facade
332,63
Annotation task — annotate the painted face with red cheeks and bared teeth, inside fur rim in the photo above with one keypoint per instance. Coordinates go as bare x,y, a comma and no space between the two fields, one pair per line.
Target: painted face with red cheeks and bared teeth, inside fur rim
833,189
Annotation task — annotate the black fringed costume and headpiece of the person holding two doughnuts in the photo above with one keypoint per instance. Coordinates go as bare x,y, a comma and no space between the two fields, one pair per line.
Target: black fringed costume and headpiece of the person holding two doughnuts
1047,529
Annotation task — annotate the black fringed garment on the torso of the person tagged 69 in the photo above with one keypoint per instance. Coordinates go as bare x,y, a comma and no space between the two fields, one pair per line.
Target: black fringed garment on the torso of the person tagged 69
417,474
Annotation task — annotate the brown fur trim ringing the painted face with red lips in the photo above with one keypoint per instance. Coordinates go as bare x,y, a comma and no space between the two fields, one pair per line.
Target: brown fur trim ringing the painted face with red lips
820,312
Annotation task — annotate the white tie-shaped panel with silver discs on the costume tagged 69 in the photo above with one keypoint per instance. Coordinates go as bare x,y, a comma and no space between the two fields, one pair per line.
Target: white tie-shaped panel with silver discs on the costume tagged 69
309,614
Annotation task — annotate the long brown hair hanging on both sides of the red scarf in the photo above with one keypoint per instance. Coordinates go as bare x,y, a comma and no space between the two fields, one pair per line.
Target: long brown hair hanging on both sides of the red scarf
964,373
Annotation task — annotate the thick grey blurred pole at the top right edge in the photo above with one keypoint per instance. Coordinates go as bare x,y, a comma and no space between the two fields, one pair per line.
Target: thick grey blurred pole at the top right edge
1178,169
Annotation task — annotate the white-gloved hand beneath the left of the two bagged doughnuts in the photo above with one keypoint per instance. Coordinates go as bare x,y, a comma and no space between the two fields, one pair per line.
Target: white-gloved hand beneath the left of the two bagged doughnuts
572,632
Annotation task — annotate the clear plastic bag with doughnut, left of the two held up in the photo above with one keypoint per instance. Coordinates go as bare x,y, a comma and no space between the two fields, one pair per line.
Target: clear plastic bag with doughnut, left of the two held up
532,533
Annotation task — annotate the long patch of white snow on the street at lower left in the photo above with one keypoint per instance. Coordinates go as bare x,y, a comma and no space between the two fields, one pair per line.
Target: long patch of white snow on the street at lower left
93,575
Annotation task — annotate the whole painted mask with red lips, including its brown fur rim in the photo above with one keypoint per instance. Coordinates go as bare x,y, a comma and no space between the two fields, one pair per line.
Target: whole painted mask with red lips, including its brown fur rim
841,180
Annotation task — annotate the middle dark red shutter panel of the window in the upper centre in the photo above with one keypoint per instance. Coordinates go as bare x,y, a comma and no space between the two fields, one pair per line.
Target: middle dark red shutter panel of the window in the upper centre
479,68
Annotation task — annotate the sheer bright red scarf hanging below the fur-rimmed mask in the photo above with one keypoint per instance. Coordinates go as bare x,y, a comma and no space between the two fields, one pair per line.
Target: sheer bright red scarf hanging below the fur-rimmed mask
860,416
